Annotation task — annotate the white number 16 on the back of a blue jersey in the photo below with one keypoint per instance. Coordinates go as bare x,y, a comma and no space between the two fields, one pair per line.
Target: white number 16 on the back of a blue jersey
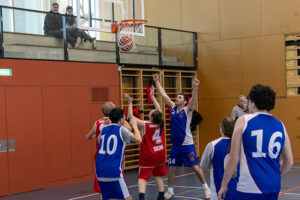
272,144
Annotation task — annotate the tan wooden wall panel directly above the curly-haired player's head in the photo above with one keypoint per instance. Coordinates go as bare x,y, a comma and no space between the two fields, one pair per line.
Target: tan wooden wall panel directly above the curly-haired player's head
263,62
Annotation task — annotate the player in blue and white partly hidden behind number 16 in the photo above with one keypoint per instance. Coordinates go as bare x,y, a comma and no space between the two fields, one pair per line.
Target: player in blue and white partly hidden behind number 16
214,158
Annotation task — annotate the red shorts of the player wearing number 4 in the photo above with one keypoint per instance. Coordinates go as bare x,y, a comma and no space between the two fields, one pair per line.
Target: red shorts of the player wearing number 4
145,172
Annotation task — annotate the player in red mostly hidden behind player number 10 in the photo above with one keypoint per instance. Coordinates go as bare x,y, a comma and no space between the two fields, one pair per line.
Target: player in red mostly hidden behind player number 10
95,131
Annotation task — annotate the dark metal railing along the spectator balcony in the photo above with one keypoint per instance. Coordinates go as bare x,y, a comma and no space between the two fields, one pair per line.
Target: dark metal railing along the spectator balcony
160,42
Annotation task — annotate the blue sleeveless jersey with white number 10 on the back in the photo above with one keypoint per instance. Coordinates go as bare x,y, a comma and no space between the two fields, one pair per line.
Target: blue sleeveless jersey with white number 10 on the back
111,152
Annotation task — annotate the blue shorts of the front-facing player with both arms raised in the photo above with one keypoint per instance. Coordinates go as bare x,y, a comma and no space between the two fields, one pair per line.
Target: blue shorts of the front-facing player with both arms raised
185,154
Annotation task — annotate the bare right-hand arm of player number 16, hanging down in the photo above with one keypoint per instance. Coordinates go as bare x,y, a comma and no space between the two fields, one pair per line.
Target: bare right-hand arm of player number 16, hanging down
287,160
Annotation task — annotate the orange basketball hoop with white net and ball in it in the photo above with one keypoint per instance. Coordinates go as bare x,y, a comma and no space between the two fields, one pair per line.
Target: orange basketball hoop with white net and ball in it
126,30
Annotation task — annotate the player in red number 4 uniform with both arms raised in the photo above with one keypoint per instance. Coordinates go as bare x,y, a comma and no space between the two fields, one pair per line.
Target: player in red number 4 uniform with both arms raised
152,158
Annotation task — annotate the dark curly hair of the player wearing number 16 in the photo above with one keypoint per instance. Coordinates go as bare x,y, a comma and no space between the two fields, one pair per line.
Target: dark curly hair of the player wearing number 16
263,97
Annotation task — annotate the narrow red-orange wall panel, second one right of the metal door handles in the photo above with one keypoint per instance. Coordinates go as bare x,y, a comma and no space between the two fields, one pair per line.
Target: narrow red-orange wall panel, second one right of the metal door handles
58,137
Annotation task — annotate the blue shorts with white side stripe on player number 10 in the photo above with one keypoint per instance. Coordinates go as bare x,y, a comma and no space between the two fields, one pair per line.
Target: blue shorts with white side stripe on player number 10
114,189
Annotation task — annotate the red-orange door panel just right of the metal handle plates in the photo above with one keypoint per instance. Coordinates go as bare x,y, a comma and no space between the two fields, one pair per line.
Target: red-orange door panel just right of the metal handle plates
24,124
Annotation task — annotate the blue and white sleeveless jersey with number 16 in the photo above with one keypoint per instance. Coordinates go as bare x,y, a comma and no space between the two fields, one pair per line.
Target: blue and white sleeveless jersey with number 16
263,138
